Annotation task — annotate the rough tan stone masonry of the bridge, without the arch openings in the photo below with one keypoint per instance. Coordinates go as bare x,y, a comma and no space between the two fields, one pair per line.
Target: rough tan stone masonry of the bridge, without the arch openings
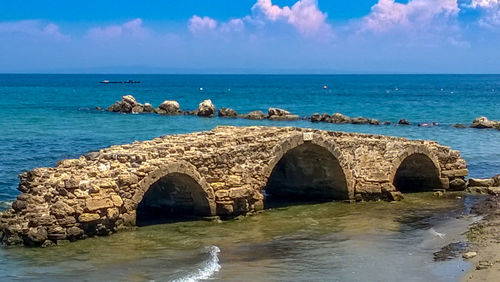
98,193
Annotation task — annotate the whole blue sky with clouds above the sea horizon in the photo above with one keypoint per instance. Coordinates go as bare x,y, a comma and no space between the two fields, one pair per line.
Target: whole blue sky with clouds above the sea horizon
250,36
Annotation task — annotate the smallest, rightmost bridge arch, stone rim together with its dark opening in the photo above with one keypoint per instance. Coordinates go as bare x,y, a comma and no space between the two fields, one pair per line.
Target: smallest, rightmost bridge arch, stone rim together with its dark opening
416,170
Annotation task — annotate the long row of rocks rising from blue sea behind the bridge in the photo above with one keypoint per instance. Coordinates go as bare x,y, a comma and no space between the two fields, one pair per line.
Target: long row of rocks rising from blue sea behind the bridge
206,108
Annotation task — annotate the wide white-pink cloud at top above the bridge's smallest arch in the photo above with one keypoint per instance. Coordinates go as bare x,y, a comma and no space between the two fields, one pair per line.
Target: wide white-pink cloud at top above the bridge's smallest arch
421,14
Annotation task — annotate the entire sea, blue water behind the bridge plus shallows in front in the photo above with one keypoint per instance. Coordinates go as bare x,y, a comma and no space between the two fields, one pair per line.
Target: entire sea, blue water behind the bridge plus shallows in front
48,117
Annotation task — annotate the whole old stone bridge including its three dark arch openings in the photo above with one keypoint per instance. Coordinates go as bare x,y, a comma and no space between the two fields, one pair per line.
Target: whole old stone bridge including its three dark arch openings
226,171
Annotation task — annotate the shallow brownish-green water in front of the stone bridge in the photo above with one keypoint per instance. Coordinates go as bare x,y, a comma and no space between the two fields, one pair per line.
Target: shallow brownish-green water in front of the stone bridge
374,241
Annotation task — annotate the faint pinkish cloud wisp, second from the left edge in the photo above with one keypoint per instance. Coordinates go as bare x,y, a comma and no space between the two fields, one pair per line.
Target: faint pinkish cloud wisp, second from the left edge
133,28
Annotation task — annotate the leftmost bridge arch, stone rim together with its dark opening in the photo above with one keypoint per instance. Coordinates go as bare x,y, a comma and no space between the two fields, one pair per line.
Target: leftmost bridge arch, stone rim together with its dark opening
170,191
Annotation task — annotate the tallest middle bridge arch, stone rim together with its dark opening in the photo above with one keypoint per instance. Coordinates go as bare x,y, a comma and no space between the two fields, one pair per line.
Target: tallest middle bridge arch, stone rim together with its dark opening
307,166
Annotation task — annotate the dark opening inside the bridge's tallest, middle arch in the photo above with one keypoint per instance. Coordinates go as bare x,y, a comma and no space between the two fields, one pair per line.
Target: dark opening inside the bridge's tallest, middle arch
307,173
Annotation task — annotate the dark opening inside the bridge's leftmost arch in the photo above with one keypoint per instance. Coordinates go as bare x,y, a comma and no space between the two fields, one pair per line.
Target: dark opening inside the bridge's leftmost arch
174,197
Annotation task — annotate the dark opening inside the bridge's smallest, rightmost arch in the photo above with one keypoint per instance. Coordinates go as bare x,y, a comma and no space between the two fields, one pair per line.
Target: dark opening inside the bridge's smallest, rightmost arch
417,173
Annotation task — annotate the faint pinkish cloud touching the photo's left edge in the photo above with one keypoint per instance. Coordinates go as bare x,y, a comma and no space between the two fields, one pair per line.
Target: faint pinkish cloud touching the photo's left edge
33,29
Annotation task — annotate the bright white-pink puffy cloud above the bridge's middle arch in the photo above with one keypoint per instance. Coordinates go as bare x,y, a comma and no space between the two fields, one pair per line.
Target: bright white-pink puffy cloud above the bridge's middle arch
304,15
